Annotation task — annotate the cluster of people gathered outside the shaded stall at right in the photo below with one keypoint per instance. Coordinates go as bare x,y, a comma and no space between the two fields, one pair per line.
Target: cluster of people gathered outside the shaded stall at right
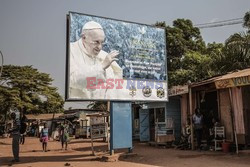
201,124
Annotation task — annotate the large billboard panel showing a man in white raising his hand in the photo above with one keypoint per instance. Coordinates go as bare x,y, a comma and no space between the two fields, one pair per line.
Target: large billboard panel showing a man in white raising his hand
110,59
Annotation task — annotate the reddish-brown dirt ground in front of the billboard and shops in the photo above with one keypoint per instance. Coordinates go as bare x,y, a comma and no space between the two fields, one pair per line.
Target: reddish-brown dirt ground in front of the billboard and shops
79,155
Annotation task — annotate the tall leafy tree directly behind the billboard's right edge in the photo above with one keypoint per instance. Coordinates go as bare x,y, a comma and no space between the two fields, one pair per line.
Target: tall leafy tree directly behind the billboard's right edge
181,39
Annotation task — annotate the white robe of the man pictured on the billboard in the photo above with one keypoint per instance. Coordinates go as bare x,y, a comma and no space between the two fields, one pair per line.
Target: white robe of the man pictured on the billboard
82,66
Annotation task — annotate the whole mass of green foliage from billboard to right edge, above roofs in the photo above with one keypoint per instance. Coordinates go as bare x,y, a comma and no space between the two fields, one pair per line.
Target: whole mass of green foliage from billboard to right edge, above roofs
189,59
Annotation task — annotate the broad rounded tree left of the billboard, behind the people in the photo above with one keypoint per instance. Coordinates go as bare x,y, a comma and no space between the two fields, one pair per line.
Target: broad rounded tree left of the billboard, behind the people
29,90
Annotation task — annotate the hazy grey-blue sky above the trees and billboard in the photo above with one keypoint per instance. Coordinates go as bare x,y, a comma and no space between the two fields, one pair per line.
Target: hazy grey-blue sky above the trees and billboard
33,32
